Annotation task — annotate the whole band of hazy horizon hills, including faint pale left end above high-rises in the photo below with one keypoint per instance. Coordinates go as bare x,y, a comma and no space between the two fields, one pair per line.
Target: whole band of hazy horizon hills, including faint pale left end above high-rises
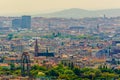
72,13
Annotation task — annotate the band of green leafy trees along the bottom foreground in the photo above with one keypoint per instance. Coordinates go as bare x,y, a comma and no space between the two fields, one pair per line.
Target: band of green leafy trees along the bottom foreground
66,72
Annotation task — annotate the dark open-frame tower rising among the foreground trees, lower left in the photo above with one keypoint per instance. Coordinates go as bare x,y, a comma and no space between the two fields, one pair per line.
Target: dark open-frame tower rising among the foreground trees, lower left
25,64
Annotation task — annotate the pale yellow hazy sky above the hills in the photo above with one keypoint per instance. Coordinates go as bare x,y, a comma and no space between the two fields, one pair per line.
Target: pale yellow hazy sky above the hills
21,6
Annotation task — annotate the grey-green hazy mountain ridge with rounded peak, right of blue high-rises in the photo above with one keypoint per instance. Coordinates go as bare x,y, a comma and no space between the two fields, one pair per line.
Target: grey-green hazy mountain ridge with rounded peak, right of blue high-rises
80,13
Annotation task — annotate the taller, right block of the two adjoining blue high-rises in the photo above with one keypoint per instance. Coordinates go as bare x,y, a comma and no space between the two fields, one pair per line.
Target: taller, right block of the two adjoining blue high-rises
26,22
